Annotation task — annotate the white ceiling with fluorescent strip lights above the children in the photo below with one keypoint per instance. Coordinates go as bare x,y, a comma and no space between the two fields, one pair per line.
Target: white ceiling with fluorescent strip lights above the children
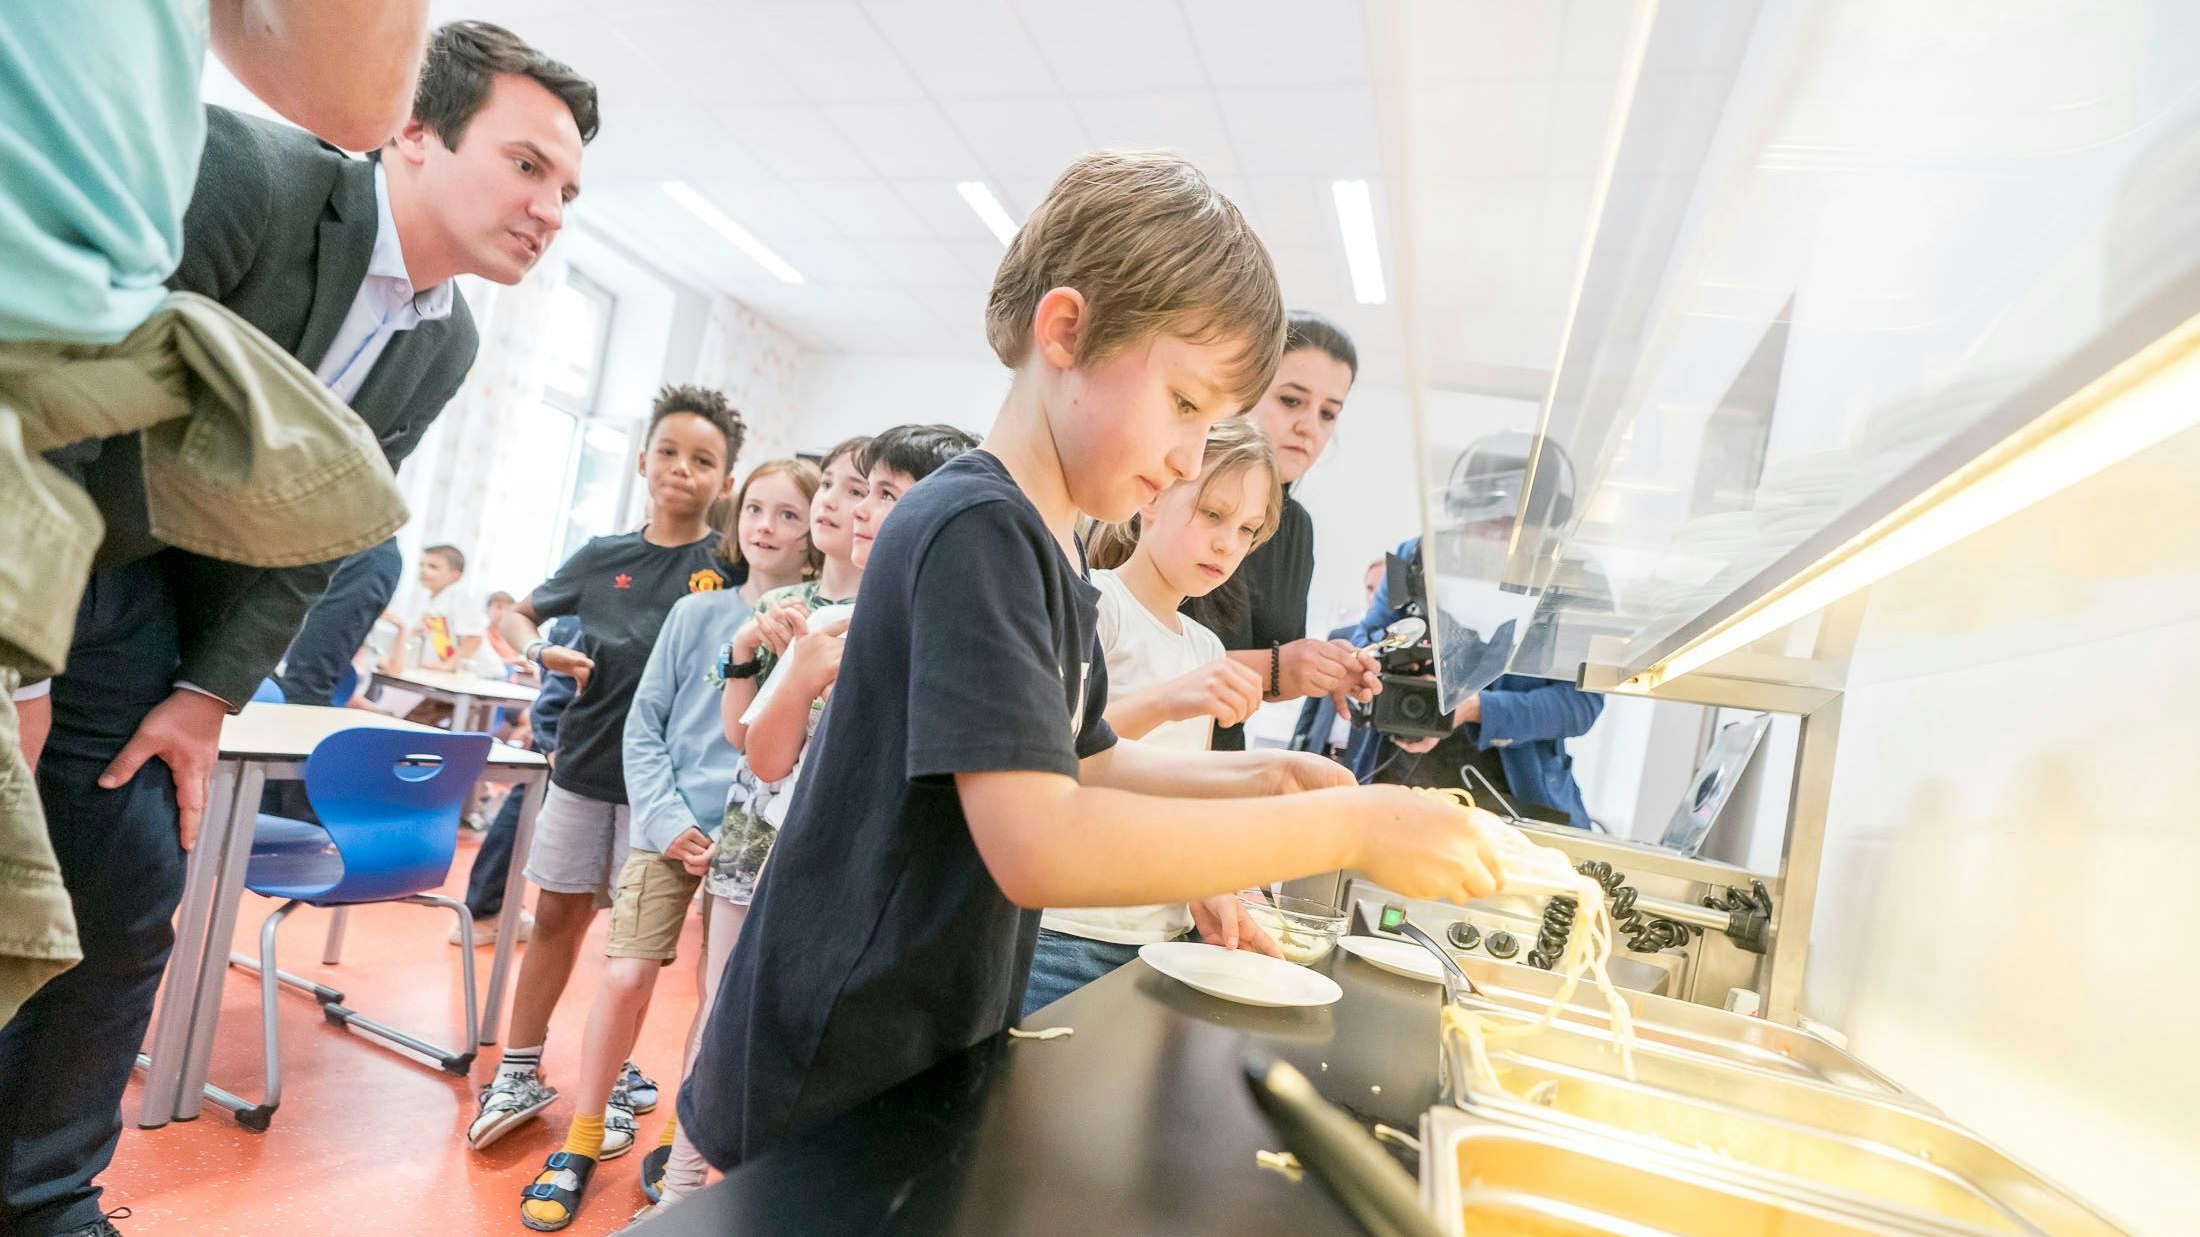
835,131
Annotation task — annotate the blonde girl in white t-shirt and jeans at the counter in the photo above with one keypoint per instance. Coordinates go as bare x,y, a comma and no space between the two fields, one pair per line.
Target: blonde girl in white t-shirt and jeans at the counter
1169,679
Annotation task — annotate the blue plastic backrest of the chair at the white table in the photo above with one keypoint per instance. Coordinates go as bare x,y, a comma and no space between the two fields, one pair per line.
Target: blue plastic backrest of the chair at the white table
390,802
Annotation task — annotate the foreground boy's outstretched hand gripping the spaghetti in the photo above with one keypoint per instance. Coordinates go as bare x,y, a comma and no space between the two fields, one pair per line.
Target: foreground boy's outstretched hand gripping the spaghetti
1429,849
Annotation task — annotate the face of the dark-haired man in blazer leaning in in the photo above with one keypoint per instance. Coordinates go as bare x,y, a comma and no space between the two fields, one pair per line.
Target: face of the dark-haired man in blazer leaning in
500,199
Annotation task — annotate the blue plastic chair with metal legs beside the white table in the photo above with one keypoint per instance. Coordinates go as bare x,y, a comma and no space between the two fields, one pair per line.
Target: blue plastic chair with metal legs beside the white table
390,807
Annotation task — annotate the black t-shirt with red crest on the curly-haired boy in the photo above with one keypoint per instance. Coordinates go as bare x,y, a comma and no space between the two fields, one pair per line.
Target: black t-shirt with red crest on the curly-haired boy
621,589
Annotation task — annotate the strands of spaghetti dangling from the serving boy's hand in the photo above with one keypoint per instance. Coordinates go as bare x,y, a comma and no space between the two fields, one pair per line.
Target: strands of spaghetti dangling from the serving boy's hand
1541,871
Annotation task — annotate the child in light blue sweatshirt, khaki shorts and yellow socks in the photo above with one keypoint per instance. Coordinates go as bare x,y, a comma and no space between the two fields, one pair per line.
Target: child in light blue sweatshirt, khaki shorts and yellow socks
679,776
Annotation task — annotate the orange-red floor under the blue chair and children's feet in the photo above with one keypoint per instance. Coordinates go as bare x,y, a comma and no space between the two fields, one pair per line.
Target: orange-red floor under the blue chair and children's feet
366,1141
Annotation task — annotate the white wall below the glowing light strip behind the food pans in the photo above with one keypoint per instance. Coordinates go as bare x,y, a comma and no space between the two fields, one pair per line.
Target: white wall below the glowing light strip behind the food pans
2007,897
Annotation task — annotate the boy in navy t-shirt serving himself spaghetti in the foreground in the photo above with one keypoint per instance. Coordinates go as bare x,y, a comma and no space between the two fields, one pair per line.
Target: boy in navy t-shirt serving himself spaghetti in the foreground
965,771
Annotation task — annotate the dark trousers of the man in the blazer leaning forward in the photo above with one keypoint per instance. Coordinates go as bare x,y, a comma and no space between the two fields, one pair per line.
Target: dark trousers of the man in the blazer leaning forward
67,1055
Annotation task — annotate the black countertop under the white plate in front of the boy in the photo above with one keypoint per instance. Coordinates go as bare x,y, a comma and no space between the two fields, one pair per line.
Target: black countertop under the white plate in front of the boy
1136,1124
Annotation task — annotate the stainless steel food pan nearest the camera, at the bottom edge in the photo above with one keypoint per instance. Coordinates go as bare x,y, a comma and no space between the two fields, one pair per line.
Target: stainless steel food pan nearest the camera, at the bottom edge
1488,1176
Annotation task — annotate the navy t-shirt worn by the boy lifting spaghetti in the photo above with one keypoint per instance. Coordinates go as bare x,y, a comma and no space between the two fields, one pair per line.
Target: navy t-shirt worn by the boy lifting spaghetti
879,941
